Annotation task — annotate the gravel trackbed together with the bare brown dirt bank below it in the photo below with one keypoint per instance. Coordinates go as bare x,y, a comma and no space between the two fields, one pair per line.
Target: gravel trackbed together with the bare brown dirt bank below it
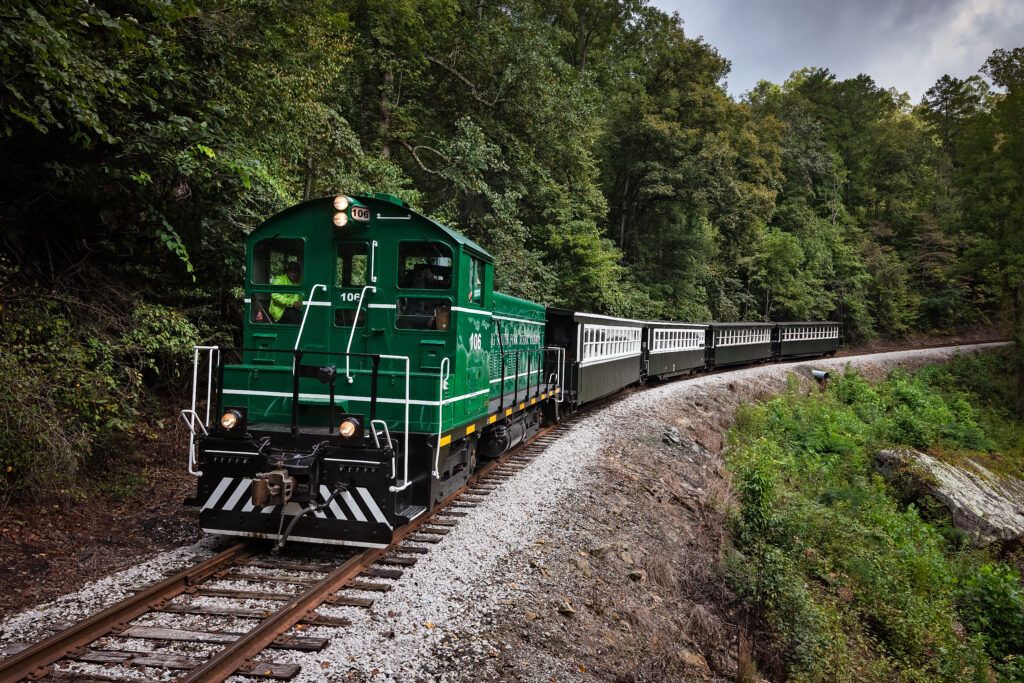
607,522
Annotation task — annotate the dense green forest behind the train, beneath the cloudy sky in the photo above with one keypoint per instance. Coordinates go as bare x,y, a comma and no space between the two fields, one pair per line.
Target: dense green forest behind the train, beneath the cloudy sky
591,145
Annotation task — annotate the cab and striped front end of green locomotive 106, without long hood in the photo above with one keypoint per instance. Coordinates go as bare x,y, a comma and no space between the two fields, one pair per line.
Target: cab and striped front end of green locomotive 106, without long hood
366,339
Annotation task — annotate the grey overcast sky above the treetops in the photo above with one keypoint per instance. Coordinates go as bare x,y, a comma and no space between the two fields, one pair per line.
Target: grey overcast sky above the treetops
904,44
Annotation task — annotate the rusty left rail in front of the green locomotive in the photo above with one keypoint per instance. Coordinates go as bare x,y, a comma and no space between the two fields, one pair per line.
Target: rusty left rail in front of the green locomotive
33,661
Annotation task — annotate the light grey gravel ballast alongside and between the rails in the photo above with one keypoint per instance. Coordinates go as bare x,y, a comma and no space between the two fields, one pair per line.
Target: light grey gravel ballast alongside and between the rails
447,618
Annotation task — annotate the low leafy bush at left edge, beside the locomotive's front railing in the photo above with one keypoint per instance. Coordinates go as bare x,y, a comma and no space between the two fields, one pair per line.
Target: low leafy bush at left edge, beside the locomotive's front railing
79,377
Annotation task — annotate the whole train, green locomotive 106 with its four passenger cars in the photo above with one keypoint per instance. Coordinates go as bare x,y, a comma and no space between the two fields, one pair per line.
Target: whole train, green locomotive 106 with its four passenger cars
378,365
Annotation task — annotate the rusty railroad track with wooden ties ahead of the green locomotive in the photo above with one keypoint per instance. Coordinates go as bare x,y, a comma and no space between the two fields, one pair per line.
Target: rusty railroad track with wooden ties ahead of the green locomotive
244,651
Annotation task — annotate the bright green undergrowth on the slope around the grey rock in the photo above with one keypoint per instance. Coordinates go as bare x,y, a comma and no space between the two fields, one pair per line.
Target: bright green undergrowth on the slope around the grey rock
854,583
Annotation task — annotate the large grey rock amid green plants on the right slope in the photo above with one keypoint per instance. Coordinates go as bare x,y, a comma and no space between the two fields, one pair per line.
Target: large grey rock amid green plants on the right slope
988,506
